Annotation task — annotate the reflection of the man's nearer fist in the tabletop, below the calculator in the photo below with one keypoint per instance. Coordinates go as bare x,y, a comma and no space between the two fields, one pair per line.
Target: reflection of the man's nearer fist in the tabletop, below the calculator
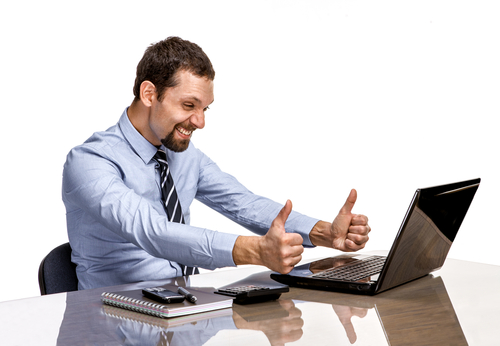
278,330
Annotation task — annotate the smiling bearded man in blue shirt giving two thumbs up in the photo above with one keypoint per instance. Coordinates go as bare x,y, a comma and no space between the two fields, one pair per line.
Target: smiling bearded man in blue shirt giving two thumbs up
119,224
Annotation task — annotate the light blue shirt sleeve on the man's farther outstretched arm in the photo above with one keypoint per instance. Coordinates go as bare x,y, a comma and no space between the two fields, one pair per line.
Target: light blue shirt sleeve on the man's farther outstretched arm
223,193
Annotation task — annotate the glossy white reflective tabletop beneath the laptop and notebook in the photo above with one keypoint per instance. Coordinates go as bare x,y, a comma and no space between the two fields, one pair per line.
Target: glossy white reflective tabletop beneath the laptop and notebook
457,305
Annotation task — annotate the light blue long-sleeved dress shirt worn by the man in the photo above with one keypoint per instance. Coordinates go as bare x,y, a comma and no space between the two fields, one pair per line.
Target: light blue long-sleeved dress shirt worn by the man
117,225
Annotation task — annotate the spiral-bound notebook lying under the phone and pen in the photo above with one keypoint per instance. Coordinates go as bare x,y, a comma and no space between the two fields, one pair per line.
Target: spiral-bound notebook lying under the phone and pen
135,301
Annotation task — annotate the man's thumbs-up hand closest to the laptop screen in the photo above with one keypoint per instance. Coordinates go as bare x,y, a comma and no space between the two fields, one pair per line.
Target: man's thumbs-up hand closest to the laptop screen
348,232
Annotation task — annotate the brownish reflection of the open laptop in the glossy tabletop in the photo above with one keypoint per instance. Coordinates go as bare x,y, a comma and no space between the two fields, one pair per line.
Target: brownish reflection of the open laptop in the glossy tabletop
420,313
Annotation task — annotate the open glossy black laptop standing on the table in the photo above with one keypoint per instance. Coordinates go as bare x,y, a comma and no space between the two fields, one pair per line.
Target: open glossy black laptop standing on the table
421,245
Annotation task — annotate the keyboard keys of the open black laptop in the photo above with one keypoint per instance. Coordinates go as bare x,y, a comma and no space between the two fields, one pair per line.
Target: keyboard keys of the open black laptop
354,271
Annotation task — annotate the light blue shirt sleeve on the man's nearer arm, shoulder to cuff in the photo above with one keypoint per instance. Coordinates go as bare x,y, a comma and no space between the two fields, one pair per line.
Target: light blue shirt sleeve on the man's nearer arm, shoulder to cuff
93,185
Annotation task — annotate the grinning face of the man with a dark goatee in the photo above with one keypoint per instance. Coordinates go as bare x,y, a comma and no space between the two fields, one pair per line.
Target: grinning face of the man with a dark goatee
182,111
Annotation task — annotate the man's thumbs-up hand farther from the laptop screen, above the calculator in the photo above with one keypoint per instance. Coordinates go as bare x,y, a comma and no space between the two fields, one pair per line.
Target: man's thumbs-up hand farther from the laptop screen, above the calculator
277,250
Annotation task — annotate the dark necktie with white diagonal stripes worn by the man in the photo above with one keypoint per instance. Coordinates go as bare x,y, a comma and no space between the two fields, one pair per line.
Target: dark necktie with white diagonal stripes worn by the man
170,199
